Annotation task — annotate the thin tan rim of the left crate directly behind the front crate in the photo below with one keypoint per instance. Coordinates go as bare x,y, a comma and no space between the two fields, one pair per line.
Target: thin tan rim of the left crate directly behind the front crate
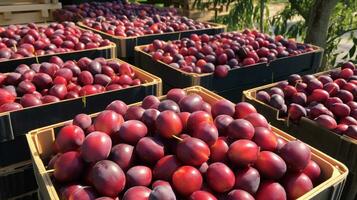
156,81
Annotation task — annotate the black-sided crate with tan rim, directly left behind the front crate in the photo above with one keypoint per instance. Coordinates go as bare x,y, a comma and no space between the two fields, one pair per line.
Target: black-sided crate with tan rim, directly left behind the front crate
17,123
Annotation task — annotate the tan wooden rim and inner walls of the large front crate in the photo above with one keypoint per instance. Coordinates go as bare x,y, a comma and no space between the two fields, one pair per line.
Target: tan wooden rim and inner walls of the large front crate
40,142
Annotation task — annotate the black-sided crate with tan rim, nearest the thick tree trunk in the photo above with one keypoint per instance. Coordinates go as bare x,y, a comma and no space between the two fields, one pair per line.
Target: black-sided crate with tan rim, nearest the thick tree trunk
237,80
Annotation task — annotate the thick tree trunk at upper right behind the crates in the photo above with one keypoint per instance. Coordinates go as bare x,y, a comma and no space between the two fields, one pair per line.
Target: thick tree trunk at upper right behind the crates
318,22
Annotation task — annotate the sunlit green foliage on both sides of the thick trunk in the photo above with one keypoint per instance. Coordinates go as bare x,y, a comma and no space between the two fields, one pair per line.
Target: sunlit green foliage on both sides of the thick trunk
291,22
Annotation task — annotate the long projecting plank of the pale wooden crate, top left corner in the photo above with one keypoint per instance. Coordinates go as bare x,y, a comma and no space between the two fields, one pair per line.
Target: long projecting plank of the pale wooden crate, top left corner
14,8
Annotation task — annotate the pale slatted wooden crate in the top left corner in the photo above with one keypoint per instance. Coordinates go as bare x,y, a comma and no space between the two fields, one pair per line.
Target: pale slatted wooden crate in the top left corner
21,11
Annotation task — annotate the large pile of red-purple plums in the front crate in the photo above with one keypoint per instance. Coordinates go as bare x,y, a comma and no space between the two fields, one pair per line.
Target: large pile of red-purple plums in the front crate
179,148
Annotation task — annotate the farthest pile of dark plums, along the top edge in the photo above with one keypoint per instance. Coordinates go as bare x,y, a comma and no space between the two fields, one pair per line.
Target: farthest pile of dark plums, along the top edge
109,9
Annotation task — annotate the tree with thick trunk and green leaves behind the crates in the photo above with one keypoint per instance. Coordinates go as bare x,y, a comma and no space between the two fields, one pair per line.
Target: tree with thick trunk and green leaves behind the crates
320,22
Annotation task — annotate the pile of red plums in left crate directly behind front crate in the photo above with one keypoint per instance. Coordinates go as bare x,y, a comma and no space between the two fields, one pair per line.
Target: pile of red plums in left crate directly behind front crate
56,80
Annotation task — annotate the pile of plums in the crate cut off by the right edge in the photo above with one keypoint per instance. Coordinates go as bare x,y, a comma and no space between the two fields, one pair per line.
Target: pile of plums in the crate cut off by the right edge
328,99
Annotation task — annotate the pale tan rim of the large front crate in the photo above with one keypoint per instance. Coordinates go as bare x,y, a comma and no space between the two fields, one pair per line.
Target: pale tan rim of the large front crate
339,173
